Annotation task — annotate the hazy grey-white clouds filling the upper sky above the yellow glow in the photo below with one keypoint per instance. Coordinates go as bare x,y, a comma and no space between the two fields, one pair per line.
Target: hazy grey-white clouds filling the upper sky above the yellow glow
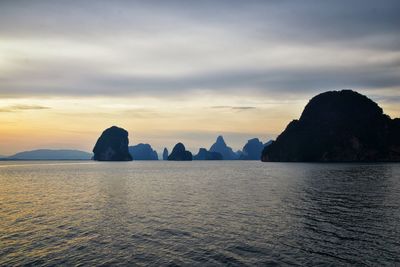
166,48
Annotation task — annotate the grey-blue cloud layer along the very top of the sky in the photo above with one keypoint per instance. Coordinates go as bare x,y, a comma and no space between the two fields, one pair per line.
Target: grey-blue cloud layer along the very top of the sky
309,19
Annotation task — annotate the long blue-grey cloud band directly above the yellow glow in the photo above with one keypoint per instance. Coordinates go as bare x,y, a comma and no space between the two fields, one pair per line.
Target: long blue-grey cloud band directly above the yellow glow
268,82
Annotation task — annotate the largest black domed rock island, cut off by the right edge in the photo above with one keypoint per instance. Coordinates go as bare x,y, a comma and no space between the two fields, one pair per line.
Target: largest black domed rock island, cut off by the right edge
338,126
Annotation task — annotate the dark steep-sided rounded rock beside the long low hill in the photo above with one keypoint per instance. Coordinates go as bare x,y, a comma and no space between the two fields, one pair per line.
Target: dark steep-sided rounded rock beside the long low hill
112,145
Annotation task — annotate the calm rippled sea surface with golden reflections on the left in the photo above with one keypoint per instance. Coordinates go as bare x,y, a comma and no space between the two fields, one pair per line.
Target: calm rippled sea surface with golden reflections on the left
199,213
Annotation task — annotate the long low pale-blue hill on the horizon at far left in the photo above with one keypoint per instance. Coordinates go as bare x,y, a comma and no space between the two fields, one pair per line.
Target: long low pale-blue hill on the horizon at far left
52,154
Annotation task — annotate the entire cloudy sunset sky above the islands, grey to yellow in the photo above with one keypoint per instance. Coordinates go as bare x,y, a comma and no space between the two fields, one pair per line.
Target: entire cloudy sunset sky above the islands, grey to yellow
186,71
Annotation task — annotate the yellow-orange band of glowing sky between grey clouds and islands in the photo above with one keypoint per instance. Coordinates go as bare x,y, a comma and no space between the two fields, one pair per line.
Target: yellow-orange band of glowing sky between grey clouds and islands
76,123
